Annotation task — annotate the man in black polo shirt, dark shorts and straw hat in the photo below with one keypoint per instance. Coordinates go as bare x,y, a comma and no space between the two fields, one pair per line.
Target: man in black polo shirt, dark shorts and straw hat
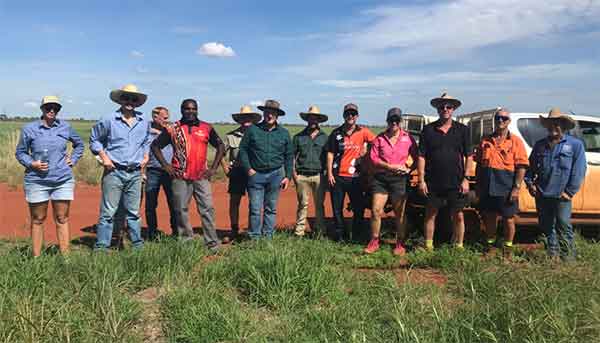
444,157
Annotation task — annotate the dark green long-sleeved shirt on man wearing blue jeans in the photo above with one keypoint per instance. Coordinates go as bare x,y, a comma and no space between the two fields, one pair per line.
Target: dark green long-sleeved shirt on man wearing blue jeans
264,150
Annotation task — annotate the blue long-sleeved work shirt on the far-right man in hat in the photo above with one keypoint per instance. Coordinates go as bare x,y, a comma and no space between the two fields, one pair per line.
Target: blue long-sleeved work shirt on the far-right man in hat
558,169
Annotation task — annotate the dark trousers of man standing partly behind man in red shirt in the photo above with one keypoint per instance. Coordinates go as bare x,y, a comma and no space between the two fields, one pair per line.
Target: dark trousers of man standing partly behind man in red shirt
155,178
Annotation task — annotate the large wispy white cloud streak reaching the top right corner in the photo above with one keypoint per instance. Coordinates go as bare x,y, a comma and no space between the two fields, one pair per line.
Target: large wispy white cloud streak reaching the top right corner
415,34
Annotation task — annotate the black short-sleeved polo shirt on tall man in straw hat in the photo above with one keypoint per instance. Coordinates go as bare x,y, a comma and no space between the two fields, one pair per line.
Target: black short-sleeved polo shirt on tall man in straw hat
445,155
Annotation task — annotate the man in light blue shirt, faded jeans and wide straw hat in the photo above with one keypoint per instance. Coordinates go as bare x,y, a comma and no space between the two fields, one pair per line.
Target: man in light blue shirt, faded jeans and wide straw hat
121,141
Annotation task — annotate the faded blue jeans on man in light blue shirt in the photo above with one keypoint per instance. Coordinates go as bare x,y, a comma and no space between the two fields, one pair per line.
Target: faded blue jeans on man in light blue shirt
117,184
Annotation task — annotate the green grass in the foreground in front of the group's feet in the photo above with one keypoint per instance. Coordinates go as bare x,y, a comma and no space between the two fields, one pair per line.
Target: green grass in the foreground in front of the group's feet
297,290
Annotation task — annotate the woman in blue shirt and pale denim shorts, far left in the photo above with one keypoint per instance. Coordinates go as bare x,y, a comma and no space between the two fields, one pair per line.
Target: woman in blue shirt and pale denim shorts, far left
42,150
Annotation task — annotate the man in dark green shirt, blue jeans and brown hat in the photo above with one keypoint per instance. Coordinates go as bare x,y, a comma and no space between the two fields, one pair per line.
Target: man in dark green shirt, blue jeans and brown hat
267,156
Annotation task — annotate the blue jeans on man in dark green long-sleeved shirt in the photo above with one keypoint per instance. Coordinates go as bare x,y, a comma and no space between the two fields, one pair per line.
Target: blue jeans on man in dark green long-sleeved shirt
263,192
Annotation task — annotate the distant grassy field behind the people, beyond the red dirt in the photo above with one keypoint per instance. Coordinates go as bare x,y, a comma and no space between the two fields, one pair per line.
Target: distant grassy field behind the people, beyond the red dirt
87,170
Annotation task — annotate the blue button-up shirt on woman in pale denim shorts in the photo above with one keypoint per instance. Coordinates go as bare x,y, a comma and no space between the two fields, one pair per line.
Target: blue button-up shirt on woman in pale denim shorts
35,137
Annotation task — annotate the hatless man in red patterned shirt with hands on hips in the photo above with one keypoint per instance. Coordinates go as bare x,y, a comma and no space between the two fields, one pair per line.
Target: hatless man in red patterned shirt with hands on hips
190,138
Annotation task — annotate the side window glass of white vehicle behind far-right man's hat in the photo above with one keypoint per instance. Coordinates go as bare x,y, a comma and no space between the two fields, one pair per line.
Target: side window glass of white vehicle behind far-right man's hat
589,132
